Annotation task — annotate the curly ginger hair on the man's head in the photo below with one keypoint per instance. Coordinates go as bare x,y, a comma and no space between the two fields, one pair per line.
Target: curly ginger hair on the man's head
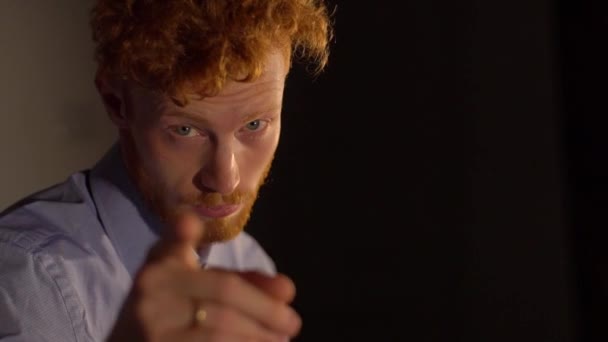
195,46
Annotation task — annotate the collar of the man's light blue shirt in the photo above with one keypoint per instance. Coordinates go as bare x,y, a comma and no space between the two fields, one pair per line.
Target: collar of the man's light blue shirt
131,226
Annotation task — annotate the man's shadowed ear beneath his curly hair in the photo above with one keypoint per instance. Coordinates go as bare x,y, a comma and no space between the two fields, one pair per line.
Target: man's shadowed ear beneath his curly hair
112,94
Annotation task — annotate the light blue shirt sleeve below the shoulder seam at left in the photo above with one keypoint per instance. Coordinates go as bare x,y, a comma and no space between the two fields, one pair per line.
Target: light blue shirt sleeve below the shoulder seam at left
33,306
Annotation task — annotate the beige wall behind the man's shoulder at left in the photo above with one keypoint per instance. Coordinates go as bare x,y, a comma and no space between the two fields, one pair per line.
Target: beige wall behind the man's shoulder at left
51,120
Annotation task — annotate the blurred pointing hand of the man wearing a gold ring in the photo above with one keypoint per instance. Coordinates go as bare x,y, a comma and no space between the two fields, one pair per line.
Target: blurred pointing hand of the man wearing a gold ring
239,306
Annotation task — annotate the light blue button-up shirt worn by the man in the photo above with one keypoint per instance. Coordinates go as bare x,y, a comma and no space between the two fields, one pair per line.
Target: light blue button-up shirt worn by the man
68,255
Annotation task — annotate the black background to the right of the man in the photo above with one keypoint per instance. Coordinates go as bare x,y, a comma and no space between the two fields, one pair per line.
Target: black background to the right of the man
443,180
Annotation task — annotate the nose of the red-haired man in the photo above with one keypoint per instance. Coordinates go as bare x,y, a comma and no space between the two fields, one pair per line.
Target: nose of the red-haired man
221,174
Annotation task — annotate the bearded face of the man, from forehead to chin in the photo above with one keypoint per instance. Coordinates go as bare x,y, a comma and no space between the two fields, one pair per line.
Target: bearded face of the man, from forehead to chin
209,157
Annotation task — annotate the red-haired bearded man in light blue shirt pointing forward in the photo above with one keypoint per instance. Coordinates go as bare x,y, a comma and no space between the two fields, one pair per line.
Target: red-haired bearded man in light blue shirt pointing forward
148,245
